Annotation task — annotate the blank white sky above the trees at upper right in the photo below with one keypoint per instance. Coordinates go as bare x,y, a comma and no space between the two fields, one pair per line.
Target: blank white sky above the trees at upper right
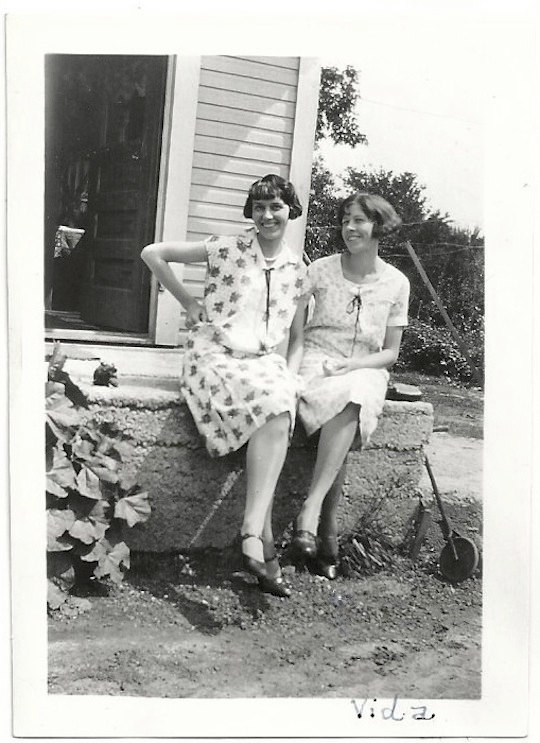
422,109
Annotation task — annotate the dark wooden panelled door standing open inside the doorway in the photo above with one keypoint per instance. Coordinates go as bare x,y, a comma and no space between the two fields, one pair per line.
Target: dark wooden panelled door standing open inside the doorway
122,192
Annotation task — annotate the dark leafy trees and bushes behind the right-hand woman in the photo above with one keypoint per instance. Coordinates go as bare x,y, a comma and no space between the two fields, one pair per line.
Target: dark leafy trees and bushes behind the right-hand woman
452,257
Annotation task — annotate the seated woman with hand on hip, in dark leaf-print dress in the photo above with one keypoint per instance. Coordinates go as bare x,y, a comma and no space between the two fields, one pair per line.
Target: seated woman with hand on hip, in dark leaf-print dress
239,388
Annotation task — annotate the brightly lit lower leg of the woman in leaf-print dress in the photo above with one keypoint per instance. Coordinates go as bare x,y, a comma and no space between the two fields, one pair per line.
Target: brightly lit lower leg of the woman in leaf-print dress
265,457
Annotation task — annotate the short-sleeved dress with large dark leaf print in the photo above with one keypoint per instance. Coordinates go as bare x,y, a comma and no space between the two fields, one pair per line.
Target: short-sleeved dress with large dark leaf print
234,379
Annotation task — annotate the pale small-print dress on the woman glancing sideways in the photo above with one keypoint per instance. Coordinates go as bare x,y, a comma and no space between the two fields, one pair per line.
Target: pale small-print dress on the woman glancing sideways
349,321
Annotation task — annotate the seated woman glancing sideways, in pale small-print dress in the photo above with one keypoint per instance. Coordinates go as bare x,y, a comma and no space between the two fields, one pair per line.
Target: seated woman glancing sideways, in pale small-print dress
353,337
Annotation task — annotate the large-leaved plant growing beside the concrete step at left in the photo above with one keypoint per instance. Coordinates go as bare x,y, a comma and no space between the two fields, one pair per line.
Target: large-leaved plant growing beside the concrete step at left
90,500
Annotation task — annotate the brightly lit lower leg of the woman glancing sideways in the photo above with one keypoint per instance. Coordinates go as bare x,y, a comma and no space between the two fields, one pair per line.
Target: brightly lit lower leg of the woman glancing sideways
335,441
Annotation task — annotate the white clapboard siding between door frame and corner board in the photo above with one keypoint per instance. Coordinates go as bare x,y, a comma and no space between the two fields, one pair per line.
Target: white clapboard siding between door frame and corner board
244,130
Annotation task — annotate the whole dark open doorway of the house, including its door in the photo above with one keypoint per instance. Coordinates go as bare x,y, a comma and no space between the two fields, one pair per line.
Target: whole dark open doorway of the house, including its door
103,129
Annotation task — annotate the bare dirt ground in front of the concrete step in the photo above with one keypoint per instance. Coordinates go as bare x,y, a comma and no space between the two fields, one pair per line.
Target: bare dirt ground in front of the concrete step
195,628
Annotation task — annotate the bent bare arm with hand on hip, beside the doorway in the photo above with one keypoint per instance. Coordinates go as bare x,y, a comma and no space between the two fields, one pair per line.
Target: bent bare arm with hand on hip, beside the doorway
158,256
